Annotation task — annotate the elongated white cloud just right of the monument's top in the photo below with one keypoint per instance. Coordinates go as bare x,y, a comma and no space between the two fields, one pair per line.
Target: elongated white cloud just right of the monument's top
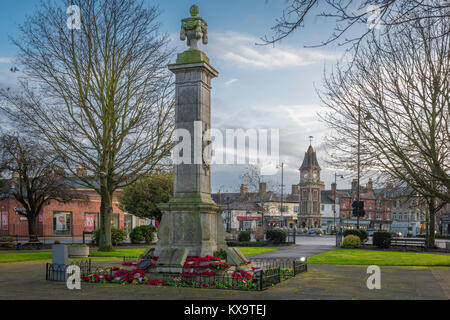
241,50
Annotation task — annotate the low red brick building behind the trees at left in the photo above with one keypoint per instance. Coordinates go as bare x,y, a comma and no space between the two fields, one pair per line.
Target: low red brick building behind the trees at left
58,219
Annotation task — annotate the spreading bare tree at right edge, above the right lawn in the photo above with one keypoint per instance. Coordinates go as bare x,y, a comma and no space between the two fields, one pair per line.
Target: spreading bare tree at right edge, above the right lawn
398,92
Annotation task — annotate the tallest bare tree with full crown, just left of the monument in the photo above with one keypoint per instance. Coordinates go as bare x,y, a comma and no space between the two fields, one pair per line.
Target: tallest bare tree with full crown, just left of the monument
99,95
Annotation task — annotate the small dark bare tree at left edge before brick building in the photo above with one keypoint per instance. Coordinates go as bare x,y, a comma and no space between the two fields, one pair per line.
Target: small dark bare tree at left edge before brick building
35,177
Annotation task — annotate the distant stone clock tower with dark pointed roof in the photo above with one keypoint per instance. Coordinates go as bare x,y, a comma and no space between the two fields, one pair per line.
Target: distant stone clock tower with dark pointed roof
310,188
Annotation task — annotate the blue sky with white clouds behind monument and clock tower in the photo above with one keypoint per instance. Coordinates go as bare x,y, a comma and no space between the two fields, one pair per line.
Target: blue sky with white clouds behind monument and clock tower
259,87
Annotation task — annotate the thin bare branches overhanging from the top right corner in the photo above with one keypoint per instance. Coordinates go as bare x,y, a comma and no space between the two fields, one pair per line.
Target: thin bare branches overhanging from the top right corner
349,15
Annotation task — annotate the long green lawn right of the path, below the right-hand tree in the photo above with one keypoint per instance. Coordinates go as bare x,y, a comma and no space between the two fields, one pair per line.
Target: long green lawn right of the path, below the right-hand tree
381,258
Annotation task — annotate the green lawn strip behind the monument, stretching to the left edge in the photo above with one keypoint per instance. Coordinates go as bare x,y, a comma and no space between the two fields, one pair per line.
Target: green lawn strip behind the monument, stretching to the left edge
102,256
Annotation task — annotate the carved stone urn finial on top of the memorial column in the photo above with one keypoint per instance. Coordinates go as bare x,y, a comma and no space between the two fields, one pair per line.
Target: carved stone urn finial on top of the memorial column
194,29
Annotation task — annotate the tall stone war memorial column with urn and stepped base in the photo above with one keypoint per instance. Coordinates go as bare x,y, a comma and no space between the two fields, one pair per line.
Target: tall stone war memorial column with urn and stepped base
191,223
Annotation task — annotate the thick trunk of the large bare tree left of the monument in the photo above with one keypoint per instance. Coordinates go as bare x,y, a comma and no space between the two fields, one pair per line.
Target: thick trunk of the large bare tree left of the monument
105,242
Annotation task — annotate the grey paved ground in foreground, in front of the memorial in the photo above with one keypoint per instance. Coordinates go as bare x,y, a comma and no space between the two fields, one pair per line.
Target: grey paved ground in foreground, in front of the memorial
27,281
